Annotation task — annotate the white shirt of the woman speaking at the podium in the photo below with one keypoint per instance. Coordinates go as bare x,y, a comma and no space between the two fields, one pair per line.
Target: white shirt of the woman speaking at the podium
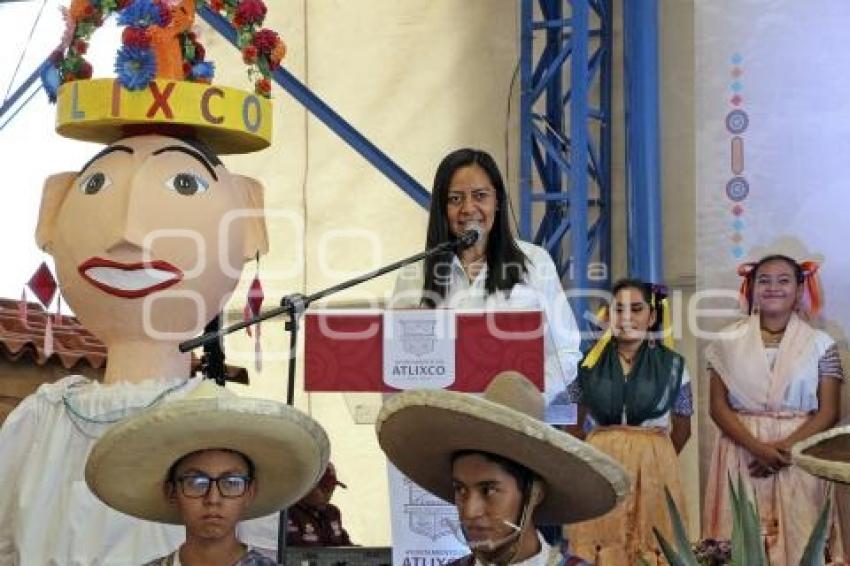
541,290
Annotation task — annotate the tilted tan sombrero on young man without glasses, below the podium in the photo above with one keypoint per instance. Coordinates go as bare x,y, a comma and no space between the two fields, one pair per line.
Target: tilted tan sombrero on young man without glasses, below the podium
419,430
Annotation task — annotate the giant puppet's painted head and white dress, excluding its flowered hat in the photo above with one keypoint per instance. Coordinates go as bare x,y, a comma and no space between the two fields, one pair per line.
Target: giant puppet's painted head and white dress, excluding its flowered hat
110,229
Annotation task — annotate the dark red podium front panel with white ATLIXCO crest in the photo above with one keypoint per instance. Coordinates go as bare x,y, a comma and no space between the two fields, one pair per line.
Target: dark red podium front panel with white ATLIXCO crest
352,350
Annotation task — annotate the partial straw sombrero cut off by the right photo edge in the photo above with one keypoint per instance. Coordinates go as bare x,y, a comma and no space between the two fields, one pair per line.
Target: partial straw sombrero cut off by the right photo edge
826,454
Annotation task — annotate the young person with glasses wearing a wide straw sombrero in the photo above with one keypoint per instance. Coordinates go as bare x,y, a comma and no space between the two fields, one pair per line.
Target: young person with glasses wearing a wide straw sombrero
210,460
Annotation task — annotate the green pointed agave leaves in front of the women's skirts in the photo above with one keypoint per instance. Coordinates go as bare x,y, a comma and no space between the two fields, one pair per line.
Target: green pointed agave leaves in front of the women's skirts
747,544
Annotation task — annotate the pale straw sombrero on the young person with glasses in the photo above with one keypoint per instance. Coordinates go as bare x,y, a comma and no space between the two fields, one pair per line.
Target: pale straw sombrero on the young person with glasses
127,465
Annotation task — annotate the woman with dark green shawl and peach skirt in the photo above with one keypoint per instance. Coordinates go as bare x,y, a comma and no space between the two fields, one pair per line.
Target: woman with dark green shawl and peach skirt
634,394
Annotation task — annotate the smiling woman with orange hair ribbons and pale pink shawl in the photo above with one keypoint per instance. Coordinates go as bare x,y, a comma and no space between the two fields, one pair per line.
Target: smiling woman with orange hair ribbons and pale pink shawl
775,381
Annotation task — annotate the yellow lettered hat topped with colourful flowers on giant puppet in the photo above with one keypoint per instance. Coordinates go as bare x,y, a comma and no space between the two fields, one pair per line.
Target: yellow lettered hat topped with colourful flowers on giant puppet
163,82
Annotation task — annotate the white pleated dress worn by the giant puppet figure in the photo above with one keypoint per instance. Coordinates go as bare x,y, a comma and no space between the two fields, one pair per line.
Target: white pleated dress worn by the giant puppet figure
45,442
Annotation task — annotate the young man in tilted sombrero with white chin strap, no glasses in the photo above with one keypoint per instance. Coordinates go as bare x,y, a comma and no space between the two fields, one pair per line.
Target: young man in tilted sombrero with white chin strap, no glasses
504,468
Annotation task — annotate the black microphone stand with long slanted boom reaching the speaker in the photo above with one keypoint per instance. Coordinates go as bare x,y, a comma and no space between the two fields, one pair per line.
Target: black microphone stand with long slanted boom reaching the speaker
294,305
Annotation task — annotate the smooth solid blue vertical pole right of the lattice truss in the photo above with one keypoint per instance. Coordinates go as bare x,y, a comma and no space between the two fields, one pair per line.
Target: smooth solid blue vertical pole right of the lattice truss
643,141
